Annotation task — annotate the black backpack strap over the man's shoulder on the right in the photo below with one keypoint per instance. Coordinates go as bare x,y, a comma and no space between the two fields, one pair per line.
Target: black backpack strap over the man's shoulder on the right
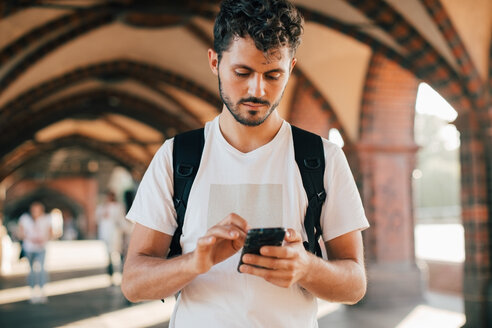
310,158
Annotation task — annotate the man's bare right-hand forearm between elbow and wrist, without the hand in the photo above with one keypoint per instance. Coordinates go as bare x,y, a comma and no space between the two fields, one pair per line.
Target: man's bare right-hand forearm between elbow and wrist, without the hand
342,281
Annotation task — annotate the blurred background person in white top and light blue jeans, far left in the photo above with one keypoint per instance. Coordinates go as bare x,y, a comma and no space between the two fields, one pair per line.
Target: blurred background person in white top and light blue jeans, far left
35,230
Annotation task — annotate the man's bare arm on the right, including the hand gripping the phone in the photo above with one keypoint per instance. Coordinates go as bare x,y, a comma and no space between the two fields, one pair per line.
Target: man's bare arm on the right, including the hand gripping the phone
340,279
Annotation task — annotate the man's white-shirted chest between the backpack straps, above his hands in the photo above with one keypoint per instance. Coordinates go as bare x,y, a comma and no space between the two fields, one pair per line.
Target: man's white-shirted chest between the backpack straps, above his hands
265,189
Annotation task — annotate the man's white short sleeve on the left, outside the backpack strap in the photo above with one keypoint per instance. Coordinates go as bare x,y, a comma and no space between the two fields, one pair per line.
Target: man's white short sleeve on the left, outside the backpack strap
153,205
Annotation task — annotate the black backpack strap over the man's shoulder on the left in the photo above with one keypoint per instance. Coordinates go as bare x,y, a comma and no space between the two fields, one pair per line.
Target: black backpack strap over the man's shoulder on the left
187,153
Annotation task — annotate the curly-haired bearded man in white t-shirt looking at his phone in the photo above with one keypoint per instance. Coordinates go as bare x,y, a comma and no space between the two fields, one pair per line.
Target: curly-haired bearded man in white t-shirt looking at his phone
248,178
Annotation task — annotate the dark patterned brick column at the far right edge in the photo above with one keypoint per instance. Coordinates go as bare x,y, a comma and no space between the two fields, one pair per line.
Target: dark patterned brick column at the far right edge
475,213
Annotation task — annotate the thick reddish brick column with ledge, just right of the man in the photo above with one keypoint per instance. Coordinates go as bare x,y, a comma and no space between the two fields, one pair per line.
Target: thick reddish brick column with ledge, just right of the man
386,156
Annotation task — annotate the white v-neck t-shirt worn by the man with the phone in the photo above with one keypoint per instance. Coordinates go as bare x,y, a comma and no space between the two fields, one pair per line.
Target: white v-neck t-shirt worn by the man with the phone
263,186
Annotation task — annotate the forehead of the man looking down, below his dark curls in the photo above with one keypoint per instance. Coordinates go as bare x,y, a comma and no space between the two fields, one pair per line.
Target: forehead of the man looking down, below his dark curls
243,51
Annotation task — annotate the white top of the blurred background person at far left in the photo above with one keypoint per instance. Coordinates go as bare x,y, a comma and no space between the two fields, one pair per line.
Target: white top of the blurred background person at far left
37,232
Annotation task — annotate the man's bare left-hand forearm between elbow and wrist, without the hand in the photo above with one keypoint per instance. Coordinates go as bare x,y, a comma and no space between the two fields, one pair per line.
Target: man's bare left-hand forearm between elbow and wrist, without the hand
149,278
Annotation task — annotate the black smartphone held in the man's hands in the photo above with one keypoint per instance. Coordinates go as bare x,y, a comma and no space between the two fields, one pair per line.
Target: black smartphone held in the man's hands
257,238
